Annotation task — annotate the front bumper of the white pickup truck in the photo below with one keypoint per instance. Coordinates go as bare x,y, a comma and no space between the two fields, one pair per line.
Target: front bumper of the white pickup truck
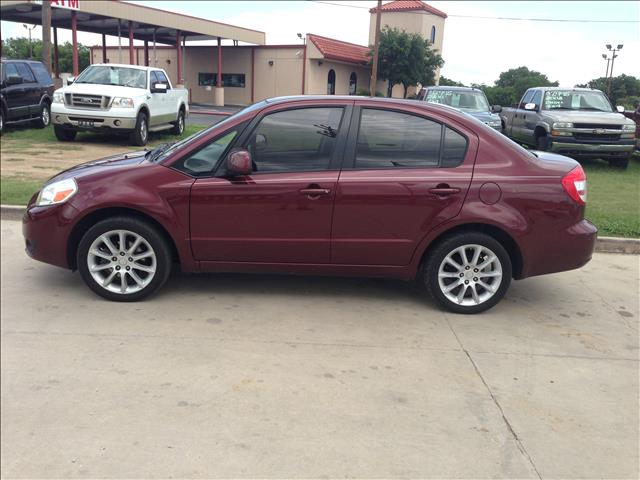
82,119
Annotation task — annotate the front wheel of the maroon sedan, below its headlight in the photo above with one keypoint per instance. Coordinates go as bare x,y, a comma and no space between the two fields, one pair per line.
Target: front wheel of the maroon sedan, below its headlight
123,259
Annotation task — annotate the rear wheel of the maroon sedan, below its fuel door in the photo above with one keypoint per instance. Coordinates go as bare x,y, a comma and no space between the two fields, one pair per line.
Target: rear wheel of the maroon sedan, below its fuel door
468,272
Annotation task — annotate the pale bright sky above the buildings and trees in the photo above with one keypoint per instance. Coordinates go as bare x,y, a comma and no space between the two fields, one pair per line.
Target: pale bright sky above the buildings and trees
475,50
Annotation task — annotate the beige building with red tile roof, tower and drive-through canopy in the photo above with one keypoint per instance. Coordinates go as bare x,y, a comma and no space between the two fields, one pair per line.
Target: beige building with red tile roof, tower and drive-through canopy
240,68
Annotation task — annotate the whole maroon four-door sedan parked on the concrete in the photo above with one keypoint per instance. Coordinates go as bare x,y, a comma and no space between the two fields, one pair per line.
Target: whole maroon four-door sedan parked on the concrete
321,185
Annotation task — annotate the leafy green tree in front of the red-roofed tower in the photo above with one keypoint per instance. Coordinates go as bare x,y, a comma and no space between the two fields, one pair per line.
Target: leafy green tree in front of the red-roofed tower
406,59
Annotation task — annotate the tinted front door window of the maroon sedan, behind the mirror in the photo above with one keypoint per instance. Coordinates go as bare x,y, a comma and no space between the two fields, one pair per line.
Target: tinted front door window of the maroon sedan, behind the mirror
295,140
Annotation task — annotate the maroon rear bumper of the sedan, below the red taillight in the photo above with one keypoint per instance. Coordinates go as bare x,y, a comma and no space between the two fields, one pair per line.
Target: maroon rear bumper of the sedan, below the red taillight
565,250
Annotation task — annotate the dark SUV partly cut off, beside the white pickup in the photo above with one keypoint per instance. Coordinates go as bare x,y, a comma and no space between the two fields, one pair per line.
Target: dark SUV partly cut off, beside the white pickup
25,93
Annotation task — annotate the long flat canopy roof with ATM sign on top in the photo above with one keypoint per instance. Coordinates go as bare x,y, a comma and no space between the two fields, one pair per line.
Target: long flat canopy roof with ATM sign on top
102,16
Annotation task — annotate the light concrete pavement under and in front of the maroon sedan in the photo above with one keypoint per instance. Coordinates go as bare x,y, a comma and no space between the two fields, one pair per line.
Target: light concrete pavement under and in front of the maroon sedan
297,377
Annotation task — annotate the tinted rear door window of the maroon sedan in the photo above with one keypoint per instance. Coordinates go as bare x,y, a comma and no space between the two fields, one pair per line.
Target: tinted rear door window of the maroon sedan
388,139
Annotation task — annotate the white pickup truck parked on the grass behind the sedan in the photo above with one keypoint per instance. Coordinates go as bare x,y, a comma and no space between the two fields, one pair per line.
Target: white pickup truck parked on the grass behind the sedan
127,99
